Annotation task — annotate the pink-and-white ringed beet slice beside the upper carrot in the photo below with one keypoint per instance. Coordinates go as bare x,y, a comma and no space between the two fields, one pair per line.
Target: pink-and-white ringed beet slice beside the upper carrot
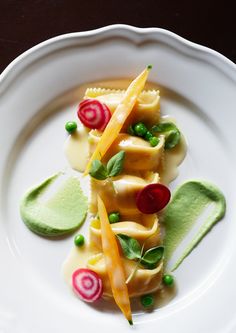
94,114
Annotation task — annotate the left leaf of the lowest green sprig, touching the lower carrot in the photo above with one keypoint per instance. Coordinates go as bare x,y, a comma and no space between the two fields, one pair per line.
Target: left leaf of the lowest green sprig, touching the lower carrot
130,246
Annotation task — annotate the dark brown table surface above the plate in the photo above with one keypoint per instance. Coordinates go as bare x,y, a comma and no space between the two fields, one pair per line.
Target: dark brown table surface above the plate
24,23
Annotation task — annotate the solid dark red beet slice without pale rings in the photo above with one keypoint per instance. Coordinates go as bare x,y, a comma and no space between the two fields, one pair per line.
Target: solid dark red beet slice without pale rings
152,198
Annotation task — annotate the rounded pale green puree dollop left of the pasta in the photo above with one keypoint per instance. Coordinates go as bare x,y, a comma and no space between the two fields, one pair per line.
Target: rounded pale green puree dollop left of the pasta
58,215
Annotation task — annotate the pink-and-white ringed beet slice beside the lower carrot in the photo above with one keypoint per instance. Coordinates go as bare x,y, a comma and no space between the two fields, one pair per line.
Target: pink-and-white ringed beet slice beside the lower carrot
87,284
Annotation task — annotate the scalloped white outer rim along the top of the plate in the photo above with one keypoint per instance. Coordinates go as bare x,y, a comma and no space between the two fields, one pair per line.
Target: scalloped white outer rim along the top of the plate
134,34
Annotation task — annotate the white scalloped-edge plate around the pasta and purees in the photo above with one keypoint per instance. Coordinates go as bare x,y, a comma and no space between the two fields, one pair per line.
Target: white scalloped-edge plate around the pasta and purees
36,98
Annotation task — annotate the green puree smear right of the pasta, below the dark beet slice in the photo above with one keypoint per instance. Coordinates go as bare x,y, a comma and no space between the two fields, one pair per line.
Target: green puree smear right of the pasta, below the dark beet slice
188,203
